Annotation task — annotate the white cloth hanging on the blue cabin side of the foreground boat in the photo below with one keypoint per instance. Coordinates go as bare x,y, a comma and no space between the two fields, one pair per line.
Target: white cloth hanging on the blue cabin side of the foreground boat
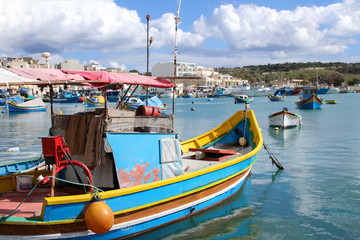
171,162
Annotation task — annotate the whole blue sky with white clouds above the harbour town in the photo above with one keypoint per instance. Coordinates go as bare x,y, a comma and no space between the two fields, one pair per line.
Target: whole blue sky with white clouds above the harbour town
113,33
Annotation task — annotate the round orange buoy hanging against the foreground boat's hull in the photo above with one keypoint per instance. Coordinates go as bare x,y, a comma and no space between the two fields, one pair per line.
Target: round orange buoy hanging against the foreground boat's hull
99,217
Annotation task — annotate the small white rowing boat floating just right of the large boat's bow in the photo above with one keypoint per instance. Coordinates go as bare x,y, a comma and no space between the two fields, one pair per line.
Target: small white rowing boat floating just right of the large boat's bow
284,119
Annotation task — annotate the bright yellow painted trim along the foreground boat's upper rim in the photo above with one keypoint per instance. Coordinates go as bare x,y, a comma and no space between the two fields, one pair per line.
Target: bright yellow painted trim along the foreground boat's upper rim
216,132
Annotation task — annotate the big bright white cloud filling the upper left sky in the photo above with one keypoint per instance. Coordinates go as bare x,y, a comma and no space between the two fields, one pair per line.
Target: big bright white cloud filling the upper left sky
56,26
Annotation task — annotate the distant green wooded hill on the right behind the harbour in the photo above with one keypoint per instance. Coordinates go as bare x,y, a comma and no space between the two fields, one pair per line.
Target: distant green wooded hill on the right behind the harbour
333,73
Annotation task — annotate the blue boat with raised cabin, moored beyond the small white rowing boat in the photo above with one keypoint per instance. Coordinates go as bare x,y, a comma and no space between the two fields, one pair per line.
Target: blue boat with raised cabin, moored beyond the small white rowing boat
309,99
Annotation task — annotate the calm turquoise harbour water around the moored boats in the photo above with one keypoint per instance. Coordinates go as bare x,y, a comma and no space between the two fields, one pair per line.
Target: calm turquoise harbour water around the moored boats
317,196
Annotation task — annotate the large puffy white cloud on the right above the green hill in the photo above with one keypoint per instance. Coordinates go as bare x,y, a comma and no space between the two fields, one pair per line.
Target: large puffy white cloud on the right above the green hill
305,30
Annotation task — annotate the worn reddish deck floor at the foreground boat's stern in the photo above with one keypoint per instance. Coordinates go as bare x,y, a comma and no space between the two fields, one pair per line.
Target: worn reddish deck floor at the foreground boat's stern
33,204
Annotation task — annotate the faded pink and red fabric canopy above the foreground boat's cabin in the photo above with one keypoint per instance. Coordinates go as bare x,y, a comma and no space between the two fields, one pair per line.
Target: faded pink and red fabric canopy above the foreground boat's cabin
92,78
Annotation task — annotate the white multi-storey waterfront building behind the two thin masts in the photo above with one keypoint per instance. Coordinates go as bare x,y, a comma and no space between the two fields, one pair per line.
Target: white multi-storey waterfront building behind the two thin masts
167,69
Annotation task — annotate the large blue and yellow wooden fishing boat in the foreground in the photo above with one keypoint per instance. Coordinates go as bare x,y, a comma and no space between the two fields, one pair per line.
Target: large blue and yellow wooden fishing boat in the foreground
138,174
